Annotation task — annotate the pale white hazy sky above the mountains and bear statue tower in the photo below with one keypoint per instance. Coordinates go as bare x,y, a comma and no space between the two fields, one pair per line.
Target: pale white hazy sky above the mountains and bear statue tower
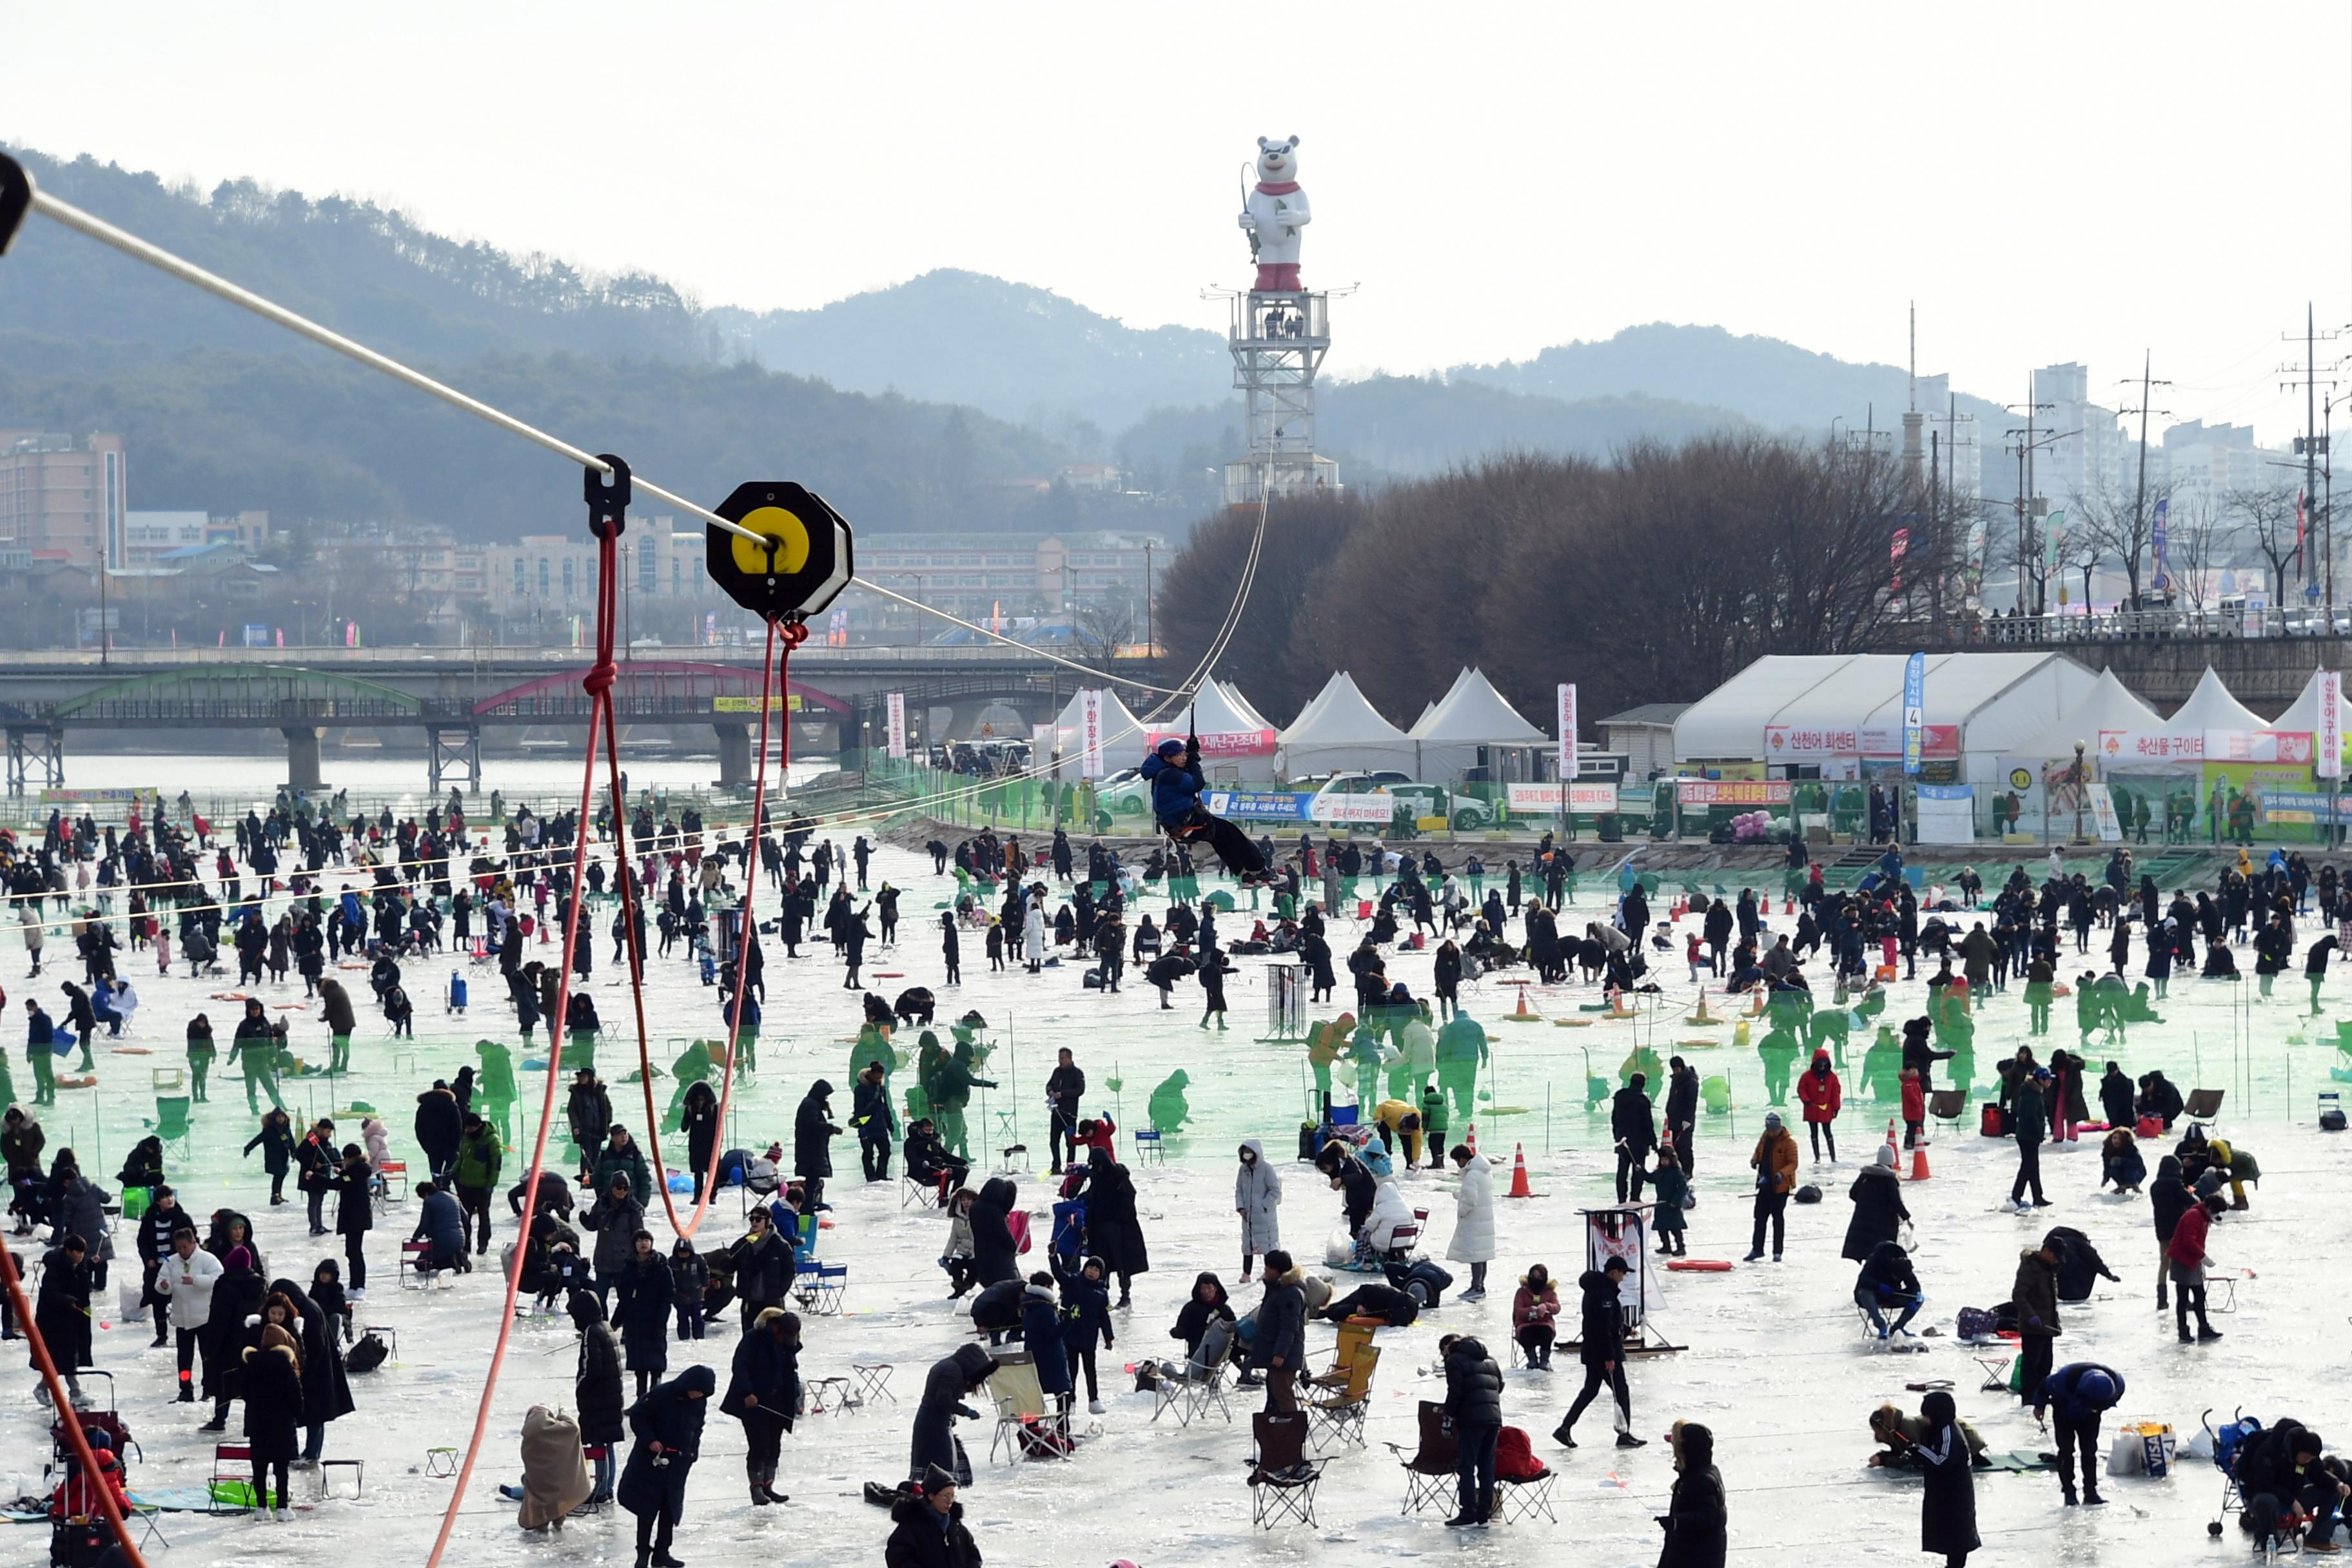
2050,182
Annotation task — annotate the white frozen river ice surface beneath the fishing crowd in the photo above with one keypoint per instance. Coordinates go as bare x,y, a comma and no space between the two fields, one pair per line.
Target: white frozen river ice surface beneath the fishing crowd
1775,1360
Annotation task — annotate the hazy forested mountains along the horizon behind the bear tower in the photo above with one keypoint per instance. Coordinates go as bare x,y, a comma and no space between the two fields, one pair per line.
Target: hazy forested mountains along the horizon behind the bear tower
916,406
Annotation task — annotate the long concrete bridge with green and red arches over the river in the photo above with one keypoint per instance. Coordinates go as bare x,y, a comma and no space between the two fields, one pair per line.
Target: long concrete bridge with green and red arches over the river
453,697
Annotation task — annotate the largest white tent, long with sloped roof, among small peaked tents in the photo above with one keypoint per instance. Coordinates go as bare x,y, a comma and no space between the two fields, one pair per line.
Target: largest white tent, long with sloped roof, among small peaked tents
1836,711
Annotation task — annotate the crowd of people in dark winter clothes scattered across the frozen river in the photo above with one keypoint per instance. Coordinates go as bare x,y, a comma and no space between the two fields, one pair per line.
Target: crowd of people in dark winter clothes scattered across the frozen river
260,1348
